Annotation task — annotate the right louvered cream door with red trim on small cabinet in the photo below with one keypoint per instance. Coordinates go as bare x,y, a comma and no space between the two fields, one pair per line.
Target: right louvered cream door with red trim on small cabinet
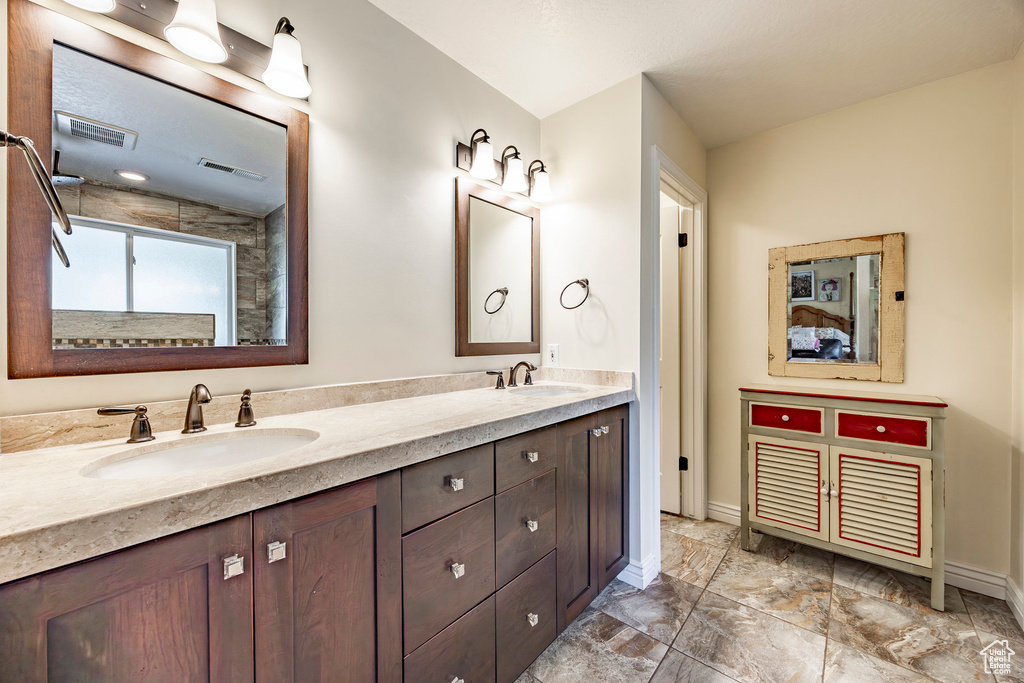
882,504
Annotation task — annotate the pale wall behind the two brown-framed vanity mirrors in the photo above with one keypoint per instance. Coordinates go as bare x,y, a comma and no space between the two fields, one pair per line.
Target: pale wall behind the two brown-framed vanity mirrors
386,114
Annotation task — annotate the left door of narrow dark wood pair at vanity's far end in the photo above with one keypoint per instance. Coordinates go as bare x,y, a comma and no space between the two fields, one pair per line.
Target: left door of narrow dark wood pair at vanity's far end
577,519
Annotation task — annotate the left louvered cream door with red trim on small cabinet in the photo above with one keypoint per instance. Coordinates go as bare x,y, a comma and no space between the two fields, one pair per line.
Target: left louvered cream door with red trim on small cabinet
787,485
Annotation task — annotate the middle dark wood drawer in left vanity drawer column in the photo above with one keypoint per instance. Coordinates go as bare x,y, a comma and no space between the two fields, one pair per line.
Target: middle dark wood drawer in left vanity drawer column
436,591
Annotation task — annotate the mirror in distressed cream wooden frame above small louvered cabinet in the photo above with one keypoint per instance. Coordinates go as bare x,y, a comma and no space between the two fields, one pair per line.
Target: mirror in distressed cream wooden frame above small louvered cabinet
836,310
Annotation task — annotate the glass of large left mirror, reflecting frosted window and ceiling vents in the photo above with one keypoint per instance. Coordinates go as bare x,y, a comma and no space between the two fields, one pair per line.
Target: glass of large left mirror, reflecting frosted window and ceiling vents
179,207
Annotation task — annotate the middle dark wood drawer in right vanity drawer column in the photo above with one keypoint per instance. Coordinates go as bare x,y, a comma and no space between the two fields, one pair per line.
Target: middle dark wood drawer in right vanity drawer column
519,547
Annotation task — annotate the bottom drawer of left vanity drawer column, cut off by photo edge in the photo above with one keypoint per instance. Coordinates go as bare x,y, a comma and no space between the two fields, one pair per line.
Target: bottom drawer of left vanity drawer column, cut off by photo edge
464,652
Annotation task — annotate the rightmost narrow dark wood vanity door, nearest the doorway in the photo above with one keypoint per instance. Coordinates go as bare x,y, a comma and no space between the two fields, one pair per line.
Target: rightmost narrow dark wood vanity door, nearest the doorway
611,450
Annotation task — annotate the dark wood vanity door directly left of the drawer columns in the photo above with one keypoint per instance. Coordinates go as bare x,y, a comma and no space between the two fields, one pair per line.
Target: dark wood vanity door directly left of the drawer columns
328,586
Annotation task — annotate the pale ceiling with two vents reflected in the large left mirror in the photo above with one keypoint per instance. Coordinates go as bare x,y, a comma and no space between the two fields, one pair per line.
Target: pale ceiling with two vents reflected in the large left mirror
176,129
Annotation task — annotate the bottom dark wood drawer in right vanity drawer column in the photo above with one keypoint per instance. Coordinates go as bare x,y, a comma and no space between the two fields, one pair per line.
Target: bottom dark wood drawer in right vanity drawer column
526,619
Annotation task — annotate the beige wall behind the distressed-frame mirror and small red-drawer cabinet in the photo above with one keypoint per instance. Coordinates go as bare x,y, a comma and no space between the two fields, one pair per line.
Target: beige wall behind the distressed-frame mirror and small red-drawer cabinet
934,162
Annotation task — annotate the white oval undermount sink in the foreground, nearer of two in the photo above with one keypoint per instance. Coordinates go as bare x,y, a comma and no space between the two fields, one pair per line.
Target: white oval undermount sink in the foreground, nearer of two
187,456
